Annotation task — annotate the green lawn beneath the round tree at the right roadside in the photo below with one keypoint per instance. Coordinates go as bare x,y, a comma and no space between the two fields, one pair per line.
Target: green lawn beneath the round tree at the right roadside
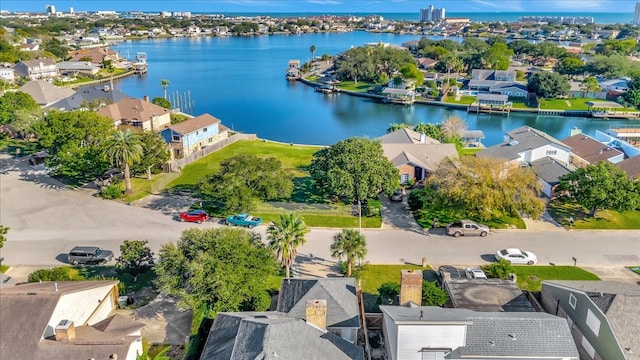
604,219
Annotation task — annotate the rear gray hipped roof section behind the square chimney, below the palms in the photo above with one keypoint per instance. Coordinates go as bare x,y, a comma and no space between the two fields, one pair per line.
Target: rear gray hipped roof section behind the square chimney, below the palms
340,293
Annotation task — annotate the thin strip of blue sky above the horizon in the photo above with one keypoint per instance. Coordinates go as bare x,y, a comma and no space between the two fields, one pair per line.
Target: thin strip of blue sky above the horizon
328,6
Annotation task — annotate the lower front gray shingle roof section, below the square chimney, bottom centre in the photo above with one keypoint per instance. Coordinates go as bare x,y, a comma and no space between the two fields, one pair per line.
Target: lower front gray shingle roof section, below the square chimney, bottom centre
273,335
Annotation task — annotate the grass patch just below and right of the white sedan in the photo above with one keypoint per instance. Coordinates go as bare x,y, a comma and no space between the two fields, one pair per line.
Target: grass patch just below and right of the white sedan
530,277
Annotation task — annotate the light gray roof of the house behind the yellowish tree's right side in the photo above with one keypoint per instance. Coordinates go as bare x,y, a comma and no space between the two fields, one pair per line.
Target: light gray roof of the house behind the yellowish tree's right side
520,140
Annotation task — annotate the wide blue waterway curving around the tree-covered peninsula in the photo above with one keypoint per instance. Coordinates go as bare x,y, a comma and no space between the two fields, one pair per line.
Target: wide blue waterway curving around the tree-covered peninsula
240,80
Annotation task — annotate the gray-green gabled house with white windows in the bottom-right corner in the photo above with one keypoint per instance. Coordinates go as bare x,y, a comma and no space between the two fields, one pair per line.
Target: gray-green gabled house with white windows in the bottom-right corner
602,316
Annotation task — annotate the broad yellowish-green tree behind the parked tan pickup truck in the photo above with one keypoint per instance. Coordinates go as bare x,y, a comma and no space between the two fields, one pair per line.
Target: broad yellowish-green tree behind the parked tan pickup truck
485,189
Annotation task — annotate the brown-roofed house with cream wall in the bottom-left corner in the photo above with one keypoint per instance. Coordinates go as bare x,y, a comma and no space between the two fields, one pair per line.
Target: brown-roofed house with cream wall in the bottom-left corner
66,320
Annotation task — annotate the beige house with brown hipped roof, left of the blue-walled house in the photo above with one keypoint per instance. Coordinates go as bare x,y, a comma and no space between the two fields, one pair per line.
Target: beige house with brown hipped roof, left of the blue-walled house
137,113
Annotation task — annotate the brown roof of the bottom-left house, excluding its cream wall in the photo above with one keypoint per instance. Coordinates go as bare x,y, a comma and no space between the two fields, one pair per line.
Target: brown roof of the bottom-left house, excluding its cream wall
25,311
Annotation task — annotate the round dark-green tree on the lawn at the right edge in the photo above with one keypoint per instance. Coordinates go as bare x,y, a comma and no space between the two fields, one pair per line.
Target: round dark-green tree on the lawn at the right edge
600,186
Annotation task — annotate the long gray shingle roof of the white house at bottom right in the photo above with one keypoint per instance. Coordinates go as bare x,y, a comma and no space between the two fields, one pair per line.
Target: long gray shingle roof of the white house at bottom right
495,334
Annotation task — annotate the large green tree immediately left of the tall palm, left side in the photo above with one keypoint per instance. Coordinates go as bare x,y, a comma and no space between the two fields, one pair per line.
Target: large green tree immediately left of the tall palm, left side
74,140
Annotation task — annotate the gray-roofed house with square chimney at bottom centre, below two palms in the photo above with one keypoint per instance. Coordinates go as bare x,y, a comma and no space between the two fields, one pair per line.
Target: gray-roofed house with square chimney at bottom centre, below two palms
315,319
